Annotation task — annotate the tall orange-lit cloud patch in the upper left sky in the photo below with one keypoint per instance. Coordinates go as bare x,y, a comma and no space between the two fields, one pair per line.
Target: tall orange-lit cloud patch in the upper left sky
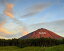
8,11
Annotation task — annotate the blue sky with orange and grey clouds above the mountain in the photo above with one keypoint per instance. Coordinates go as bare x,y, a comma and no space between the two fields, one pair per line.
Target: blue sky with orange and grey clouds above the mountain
20,17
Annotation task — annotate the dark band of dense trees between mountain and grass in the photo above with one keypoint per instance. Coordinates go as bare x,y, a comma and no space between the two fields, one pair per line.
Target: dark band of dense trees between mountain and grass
44,42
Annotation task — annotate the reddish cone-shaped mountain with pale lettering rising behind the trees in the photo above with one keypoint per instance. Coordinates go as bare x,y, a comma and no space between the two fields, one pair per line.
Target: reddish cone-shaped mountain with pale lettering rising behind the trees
42,33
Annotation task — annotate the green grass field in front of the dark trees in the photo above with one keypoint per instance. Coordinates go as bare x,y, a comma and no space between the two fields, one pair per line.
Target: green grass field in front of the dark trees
14,48
